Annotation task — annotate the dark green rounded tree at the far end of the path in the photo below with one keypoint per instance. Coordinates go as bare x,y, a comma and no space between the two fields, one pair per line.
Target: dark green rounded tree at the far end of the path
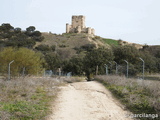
97,57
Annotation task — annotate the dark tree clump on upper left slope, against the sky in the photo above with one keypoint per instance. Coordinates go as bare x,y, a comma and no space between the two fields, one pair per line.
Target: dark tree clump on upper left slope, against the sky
14,37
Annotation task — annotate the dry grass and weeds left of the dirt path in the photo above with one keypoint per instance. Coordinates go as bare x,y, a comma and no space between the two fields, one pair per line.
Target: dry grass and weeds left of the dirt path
27,99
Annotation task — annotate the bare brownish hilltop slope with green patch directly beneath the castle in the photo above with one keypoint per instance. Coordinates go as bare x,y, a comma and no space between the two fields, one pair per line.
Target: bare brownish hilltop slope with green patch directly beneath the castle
77,40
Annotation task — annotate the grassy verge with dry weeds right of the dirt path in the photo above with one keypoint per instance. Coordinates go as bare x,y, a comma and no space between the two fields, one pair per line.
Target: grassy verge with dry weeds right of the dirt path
137,95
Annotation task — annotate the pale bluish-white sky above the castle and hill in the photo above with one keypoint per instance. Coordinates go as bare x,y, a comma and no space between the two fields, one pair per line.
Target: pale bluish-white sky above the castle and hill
136,21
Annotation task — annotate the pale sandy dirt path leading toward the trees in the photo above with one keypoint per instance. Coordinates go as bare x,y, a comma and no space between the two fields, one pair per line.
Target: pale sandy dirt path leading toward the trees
87,101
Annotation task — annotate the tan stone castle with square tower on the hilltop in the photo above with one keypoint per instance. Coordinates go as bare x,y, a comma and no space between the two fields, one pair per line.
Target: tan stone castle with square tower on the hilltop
78,26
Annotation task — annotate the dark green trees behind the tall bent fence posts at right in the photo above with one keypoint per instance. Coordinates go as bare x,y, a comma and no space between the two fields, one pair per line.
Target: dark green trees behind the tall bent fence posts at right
132,55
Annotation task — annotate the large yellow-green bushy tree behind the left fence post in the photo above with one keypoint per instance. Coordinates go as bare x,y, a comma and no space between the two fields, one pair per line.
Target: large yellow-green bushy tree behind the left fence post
23,58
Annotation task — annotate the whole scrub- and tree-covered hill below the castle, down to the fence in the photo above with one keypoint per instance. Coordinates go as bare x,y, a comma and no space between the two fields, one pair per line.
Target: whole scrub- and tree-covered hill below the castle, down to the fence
81,54
